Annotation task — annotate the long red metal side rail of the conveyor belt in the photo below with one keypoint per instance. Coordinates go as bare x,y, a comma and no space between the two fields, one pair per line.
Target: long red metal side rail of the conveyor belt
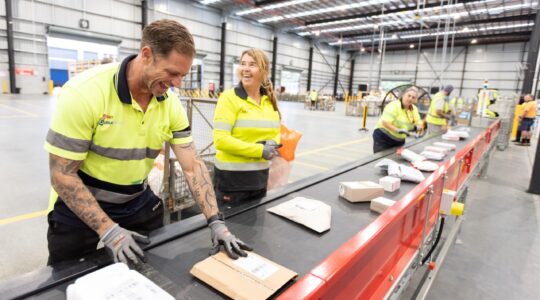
367,265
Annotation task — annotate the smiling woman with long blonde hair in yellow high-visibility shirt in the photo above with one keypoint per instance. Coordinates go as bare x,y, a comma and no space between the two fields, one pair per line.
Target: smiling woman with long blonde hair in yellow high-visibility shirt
246,133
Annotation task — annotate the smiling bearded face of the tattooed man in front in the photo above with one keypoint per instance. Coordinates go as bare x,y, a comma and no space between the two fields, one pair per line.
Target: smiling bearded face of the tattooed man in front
160,73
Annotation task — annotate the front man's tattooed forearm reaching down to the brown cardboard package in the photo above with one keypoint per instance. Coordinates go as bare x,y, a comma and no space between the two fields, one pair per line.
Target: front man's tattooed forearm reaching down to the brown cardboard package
197,178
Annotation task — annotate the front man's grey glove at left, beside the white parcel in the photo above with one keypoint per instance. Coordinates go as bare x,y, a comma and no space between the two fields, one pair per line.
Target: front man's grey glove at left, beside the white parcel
121,244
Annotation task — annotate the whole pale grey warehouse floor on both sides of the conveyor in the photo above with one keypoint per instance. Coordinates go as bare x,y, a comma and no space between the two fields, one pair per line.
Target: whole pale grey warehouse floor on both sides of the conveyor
499,257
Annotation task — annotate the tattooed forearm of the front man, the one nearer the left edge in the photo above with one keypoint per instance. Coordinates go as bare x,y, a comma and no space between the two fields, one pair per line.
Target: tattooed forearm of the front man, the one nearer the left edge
75,195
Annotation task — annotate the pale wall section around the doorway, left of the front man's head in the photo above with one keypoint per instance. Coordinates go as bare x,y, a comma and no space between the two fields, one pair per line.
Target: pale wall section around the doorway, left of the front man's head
117,18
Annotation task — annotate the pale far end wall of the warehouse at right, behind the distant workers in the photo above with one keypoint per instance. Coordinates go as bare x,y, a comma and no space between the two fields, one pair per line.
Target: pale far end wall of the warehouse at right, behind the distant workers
501,64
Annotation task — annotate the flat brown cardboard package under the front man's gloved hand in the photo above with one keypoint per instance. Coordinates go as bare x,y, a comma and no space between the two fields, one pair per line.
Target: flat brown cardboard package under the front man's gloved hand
251,277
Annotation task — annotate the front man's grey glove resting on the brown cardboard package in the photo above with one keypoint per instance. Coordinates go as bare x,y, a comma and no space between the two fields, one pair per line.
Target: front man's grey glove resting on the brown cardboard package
222,236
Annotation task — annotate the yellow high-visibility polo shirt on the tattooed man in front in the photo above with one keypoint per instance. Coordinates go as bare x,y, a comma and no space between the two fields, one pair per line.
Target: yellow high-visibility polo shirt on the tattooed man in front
98,122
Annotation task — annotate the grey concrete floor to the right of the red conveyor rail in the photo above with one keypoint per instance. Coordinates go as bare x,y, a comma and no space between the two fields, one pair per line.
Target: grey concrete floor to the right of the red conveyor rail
499,257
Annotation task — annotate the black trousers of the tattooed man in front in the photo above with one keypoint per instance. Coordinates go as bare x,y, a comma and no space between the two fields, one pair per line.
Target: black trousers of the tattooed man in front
68,242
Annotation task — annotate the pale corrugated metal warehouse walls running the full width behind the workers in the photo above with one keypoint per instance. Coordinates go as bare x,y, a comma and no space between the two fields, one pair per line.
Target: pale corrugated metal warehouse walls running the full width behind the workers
500,63
